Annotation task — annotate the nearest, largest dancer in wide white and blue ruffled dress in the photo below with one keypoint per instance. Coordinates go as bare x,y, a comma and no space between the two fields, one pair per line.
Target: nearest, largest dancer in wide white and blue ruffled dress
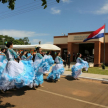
14,74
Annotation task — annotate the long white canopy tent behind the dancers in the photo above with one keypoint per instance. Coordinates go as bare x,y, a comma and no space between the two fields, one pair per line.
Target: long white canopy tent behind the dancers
32,47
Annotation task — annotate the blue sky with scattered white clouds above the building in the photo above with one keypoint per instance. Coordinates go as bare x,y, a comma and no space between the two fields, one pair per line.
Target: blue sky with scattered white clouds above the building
29,19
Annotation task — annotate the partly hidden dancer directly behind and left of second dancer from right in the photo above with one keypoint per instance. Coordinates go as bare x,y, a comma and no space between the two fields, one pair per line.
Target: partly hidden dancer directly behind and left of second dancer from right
49,62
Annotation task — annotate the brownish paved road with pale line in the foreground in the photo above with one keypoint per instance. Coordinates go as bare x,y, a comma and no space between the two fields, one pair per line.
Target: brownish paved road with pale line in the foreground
66,93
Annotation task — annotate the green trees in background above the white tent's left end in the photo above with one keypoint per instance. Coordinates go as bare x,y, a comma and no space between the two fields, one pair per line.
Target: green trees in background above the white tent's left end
24,41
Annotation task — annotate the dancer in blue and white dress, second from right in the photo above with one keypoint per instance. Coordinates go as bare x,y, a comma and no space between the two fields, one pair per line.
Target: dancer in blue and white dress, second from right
57,70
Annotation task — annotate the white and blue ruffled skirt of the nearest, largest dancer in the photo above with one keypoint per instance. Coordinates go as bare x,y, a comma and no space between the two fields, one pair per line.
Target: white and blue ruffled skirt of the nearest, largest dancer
17,75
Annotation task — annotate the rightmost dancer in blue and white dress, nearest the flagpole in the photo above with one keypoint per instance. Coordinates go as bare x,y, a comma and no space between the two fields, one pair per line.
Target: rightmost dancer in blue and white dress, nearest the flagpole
77,68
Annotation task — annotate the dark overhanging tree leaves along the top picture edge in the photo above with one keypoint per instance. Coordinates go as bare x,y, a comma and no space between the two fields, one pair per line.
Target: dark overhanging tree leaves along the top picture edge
11,3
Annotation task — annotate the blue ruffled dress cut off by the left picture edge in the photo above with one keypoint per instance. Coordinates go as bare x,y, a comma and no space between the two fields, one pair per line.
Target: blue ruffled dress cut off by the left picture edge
3,62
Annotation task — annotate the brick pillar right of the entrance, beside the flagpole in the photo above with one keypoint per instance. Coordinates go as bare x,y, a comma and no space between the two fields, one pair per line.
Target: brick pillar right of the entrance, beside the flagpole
97,53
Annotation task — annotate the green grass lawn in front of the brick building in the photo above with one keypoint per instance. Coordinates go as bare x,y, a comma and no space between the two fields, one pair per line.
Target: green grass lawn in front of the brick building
96,70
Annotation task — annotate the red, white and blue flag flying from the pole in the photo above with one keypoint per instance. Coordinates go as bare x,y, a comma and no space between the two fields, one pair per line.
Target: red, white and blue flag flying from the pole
96,34
